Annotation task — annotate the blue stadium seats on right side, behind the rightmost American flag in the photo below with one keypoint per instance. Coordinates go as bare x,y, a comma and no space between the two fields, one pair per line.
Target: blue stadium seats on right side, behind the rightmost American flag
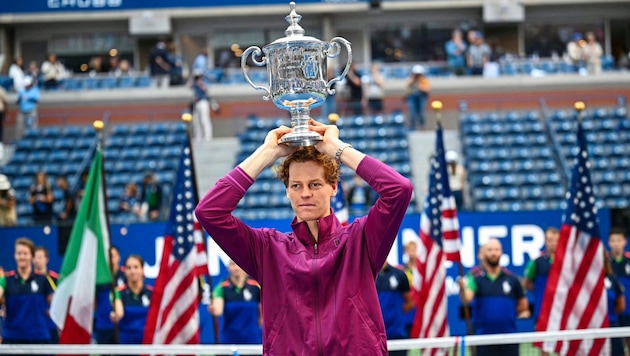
521,160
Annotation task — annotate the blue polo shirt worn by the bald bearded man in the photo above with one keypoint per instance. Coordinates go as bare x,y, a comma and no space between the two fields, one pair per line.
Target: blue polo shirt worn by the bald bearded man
494,310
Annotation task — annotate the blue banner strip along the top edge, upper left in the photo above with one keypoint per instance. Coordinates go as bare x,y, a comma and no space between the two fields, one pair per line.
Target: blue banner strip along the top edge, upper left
48,6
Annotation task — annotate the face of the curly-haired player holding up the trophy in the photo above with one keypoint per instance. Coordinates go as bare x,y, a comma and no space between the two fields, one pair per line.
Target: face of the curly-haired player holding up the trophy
308,191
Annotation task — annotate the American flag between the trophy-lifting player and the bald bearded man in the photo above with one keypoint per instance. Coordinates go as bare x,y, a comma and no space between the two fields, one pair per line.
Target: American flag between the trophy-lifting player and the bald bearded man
439,236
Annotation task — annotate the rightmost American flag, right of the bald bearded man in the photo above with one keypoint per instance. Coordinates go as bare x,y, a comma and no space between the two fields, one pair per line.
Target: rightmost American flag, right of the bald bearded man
575,297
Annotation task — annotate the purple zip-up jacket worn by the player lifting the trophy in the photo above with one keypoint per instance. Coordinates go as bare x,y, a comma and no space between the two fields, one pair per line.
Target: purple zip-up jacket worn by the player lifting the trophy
317,299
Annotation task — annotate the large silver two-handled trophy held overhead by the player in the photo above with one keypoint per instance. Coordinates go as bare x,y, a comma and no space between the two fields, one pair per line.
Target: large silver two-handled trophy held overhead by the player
296,66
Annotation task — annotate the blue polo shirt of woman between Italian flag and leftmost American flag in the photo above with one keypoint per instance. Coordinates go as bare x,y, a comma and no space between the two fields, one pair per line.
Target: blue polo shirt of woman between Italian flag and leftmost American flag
136,306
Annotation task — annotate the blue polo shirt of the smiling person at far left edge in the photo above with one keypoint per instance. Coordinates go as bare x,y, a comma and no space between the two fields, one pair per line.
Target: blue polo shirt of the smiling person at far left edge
26,306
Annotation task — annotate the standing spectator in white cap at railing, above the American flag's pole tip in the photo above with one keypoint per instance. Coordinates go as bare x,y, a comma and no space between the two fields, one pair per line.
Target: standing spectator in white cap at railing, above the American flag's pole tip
416,95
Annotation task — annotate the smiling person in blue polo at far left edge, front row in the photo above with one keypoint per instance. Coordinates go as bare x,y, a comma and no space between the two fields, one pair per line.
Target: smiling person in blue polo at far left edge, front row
27,296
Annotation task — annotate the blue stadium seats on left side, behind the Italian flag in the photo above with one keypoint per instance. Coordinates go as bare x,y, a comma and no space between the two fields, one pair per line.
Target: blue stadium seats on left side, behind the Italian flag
130,152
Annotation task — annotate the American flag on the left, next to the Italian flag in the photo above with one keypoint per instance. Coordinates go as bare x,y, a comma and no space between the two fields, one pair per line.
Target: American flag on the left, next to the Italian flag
173,316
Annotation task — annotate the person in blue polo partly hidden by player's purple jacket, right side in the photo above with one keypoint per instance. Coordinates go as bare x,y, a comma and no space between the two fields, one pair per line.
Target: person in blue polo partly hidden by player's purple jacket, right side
394,296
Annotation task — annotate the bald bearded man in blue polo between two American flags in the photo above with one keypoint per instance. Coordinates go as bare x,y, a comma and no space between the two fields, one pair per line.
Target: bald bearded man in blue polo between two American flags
499,299
